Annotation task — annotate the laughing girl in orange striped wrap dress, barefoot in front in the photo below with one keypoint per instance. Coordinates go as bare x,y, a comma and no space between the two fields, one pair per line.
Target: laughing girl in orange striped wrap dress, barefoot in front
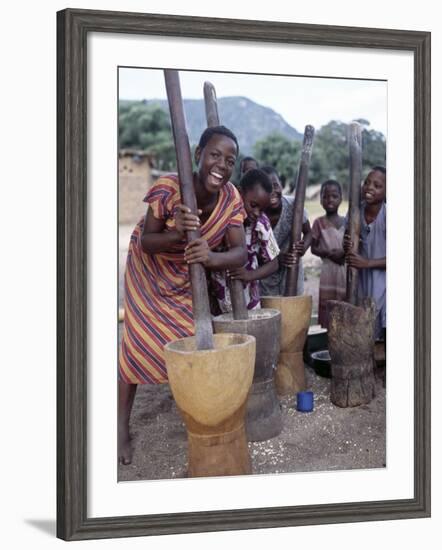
158,300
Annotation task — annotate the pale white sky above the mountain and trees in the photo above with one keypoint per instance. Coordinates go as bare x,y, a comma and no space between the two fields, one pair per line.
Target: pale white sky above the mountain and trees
299,100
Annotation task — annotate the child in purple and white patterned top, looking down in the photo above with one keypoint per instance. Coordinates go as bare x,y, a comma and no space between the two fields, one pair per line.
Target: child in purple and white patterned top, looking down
262,249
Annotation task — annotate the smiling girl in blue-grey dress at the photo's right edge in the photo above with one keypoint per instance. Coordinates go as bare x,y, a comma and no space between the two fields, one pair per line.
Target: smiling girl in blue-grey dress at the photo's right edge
371,258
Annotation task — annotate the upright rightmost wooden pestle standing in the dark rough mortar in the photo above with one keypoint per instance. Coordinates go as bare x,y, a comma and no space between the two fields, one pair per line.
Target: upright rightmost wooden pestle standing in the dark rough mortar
354,212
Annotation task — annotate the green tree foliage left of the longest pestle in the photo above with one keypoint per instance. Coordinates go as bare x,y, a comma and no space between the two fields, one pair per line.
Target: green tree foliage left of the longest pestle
147,127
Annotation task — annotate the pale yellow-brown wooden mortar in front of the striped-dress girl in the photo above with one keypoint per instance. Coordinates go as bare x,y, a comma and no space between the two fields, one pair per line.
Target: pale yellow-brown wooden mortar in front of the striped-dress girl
210,388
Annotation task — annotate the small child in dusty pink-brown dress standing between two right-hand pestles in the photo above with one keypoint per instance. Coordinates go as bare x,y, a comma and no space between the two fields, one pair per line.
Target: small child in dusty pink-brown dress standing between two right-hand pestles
327,236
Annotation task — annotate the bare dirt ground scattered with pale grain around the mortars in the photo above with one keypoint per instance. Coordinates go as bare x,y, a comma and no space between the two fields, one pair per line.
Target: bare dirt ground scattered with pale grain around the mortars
329,438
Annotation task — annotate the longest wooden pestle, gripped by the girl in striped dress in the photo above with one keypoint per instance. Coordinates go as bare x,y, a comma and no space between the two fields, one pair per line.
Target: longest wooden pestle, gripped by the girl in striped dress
200,297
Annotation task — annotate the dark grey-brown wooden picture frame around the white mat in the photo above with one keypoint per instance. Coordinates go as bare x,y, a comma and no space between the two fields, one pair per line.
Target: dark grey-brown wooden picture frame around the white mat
73,27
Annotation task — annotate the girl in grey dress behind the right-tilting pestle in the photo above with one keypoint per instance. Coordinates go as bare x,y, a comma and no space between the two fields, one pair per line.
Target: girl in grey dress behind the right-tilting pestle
280,214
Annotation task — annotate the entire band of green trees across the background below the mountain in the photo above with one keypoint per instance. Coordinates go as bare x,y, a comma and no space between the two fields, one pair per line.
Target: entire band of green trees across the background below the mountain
146,126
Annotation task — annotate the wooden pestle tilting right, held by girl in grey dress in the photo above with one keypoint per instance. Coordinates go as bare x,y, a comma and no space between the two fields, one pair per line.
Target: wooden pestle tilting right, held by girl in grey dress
291,284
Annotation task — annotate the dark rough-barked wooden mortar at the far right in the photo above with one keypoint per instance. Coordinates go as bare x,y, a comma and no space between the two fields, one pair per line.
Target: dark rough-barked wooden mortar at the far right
351,346
